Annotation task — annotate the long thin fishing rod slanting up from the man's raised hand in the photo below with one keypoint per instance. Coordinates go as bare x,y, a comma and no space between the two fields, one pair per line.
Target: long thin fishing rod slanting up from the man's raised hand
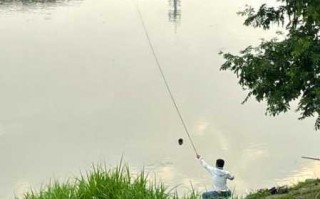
165,80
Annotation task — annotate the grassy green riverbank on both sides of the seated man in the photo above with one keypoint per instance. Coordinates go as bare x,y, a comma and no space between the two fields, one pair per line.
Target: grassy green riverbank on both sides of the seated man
120,183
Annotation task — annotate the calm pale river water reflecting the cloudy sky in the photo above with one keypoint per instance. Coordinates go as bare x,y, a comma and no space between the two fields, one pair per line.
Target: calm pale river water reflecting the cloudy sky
79,85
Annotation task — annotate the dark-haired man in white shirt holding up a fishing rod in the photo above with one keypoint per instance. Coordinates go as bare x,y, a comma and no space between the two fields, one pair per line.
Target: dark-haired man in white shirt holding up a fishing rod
219,176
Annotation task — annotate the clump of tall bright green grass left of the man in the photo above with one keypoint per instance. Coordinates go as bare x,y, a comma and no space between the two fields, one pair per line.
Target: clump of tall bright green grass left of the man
101,183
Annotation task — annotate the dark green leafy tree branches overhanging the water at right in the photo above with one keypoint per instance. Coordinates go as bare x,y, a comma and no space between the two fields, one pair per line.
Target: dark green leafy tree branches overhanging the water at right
281,71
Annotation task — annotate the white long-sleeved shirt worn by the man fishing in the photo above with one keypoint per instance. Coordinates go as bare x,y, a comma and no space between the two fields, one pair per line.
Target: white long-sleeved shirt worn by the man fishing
219,176
